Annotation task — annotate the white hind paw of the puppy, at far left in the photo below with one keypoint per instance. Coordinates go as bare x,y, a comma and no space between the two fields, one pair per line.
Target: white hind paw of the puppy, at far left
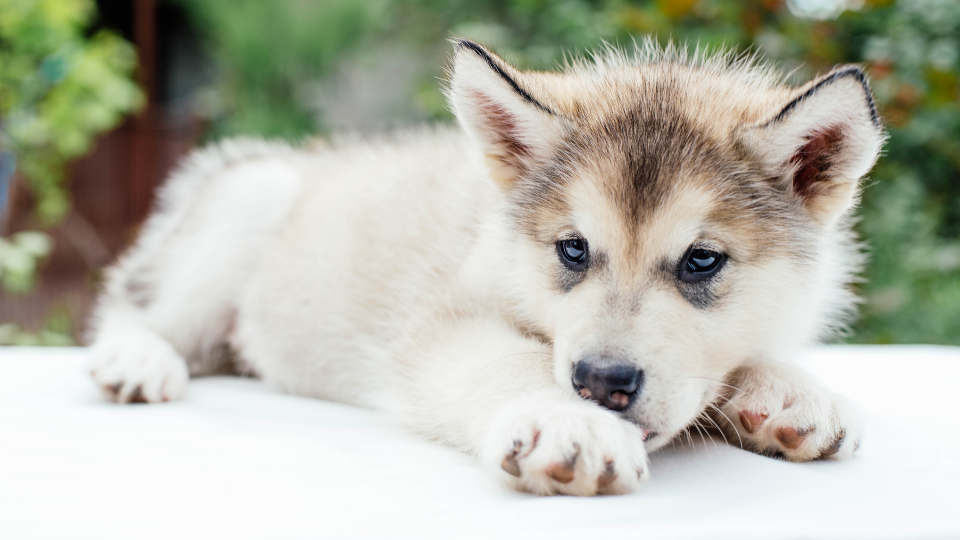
137,366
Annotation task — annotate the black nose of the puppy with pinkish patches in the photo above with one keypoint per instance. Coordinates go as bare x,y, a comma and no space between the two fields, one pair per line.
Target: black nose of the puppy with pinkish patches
611,382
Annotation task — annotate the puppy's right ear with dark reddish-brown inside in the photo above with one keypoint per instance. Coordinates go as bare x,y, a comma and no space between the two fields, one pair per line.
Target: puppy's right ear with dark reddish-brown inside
821,142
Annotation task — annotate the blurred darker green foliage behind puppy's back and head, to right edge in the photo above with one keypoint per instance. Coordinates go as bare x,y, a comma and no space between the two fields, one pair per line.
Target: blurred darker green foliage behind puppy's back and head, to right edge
911,209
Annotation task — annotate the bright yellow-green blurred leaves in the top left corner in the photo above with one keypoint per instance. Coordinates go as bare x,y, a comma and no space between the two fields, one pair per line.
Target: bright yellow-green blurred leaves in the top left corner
59,88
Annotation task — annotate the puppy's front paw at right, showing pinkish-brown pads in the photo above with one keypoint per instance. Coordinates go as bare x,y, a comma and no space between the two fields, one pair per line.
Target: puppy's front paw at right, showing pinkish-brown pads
781,411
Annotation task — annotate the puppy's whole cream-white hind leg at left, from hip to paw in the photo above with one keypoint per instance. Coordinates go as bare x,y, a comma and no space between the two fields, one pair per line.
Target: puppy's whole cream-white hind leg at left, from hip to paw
170,302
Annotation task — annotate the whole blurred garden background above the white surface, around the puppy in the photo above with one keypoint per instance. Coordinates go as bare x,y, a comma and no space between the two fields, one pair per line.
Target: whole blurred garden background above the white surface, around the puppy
100,99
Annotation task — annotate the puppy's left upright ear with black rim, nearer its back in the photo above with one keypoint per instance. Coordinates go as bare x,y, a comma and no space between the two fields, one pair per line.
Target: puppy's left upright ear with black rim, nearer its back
490,98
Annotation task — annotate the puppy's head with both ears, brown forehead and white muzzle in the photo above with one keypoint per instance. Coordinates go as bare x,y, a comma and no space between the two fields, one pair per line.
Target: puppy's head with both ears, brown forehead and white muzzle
671,218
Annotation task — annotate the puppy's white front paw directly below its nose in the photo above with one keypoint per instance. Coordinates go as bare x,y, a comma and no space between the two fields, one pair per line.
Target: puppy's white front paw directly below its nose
566,448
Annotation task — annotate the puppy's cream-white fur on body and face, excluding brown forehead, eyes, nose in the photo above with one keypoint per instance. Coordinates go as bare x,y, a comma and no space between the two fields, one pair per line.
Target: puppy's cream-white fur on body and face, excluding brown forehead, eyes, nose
391,274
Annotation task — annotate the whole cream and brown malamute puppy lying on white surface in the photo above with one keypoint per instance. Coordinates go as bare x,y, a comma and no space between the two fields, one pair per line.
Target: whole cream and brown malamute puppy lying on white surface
601,259
